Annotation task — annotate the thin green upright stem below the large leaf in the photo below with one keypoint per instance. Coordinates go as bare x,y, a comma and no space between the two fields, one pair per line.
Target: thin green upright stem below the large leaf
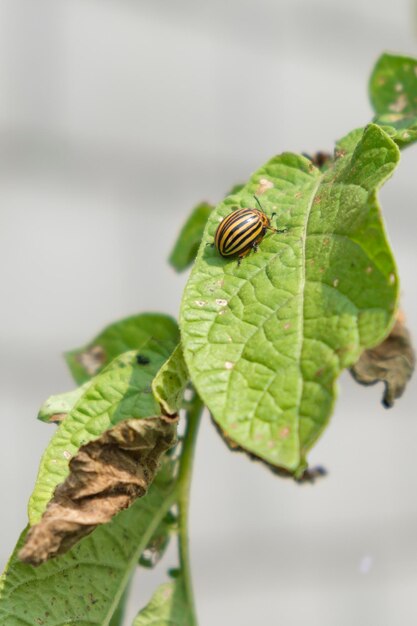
184,484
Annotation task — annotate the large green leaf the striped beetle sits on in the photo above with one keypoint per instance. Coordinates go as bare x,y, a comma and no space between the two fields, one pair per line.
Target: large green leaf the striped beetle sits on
264,341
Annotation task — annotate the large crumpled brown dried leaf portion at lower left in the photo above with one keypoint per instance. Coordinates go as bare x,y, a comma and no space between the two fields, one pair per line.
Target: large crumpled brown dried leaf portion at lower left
106,476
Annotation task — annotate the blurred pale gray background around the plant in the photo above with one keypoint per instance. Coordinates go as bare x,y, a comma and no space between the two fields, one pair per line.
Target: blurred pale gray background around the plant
116,117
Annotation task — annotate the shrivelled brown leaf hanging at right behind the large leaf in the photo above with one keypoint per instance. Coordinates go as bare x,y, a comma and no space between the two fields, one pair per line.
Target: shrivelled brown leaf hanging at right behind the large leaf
392,362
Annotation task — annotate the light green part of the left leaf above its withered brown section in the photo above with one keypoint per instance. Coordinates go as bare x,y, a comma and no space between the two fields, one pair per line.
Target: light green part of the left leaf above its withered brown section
123,390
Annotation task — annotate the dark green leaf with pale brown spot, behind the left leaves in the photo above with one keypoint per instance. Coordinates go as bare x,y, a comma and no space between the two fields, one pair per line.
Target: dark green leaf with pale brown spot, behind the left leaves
132,333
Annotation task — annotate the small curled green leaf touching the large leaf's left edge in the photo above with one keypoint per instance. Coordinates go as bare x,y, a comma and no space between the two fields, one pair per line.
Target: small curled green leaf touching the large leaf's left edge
170,382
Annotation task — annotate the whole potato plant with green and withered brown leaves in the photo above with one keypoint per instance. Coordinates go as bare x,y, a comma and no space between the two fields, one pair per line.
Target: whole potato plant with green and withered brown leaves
260,342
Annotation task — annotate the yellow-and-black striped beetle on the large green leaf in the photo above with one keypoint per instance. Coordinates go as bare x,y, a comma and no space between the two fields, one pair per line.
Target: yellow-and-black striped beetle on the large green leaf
242,231
